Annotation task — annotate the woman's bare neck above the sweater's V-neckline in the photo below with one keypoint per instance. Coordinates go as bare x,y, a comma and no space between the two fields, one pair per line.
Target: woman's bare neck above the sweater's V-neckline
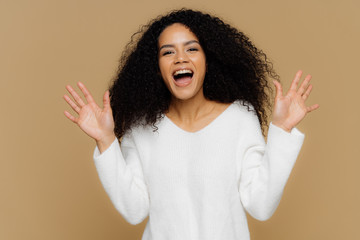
190,110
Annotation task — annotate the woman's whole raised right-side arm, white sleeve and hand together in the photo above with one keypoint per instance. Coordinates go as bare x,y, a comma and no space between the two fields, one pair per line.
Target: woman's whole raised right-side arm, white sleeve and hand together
265,169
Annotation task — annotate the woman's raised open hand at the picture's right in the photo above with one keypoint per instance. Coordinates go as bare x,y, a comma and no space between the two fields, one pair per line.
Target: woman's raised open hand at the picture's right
290,109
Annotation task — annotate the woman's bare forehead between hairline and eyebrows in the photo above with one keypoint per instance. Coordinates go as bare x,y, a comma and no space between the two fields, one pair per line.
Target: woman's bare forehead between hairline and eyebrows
176,33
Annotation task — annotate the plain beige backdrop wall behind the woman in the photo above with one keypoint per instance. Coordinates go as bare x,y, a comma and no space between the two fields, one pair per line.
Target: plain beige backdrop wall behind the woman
48,183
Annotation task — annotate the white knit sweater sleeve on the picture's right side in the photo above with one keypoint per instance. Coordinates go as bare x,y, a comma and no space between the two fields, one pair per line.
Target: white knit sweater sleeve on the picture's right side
265,168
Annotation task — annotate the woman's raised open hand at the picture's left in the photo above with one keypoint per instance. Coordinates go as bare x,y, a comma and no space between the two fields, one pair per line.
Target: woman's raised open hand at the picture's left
96,122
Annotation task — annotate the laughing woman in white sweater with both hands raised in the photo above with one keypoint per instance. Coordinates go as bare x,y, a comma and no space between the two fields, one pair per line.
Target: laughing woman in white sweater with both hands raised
189,103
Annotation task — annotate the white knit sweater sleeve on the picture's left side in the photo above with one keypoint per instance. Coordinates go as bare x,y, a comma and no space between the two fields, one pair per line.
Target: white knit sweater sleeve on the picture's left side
121,175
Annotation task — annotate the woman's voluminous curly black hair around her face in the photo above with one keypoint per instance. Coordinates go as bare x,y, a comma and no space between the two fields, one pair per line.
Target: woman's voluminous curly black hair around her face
236,70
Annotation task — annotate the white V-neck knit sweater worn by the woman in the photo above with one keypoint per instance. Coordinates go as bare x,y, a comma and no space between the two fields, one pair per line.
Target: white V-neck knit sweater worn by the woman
197,186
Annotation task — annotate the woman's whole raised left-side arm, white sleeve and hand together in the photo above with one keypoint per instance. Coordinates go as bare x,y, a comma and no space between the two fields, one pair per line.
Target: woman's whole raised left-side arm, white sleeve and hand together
119,169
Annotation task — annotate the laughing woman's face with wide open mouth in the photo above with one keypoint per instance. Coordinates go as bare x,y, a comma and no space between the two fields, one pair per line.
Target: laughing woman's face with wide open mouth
182,62
